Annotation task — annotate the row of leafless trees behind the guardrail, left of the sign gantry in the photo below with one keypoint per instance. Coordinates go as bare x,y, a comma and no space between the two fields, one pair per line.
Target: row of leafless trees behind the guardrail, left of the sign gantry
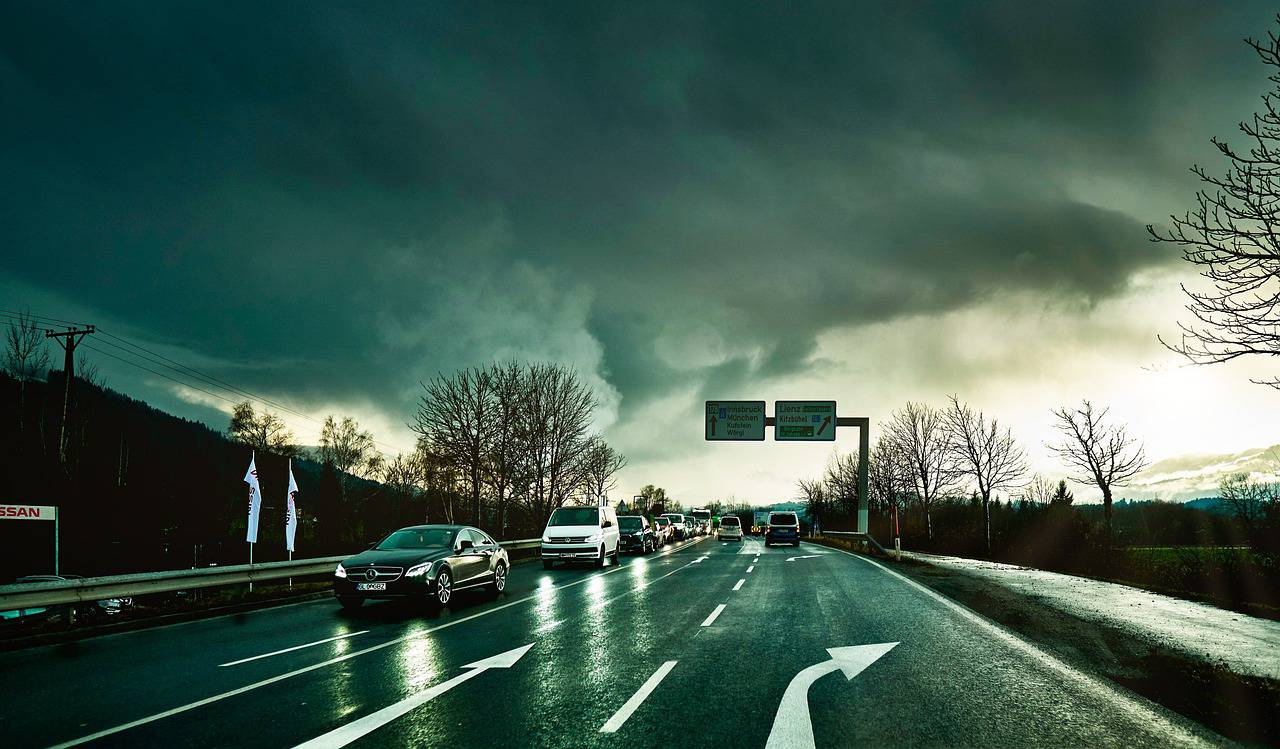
497,446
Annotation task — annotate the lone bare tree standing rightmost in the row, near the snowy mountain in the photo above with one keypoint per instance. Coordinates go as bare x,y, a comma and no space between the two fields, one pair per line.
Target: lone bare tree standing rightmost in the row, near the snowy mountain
1099,454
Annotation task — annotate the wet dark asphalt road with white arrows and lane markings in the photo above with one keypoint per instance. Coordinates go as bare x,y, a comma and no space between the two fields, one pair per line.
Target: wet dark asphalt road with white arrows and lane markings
707,645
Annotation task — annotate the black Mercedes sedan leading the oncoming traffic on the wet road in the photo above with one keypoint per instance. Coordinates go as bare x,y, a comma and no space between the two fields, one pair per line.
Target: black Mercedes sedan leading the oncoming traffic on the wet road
431,563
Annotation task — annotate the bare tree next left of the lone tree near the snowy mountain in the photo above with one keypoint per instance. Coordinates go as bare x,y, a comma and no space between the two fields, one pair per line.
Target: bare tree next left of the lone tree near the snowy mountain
985,453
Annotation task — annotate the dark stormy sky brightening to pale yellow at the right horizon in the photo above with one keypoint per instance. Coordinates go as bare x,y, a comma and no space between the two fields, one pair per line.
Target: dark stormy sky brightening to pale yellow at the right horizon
327,204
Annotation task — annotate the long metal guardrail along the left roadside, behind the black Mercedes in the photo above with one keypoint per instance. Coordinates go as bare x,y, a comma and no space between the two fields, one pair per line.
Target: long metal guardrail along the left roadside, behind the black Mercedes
89,590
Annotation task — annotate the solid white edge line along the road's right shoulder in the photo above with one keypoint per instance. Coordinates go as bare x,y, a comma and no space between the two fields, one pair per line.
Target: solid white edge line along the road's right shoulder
1139,709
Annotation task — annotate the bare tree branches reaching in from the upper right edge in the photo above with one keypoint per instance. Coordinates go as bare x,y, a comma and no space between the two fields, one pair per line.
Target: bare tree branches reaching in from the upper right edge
1233,238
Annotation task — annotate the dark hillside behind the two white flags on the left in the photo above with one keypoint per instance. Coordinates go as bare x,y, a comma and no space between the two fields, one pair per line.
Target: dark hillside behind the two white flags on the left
147,490
